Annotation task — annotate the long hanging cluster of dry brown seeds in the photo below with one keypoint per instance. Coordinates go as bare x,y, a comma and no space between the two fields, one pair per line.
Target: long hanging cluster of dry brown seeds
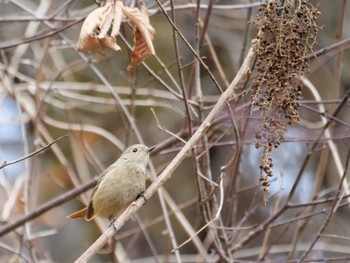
287,32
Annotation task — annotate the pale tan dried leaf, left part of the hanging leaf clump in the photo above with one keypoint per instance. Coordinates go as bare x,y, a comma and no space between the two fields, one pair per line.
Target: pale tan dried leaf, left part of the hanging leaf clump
93,33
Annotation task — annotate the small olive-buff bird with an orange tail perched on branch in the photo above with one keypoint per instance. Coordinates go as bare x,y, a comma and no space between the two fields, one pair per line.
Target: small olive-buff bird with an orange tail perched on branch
119,185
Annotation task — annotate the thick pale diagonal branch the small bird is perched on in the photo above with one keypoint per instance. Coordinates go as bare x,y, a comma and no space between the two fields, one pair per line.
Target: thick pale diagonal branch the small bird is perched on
241,76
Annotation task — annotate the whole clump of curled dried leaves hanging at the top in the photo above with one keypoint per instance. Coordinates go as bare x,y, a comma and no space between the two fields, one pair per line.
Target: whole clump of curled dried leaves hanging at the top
94,31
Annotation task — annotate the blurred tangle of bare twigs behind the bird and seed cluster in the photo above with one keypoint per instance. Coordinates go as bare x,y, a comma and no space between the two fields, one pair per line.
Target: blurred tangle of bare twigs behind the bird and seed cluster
48,90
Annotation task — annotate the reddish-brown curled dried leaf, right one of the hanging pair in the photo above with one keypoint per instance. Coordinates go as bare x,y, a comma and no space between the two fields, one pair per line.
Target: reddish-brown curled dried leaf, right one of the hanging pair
144,32
